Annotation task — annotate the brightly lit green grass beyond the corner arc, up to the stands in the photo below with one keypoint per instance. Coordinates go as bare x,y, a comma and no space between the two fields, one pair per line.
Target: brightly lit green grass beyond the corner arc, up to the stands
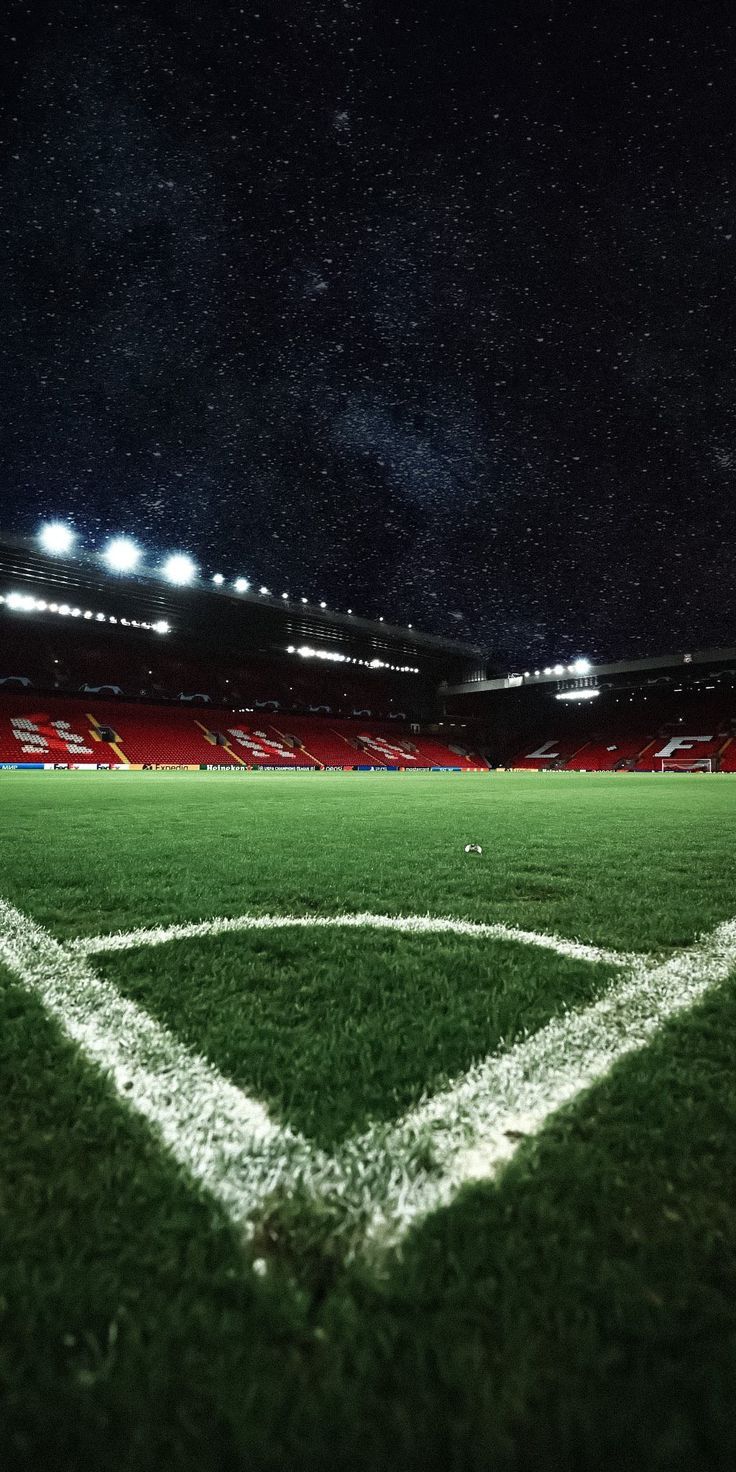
616,860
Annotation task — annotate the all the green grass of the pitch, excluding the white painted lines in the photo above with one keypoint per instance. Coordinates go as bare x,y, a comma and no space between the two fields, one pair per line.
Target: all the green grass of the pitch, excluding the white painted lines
578,1314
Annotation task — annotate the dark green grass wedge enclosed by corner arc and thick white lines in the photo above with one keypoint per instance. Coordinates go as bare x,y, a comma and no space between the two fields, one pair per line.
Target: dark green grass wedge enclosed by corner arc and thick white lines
383,1018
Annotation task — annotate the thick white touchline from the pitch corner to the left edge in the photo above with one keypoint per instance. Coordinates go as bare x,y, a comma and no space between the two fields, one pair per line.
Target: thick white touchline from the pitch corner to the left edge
223,1139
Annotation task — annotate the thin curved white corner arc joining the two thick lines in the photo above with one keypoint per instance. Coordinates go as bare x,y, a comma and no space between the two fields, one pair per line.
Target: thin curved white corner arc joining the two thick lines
407,925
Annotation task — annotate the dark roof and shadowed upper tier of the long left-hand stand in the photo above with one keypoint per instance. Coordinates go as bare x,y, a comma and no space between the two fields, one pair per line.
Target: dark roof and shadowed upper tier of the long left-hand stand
68,625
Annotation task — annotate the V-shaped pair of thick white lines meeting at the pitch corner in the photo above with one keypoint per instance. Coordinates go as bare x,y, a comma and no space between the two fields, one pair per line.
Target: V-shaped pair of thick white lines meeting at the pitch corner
381,1184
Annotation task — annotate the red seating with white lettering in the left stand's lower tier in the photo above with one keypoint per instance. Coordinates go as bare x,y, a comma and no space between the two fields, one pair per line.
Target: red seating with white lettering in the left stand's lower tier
118,734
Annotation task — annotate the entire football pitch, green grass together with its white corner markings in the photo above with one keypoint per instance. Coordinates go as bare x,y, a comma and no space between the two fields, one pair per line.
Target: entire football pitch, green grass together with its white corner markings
329,1146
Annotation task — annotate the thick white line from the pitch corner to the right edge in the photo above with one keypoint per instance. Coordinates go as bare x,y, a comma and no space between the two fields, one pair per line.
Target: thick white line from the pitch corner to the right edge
473,1128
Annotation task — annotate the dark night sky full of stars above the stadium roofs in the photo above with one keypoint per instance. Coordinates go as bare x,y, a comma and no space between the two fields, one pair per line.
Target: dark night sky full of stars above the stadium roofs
426,311
